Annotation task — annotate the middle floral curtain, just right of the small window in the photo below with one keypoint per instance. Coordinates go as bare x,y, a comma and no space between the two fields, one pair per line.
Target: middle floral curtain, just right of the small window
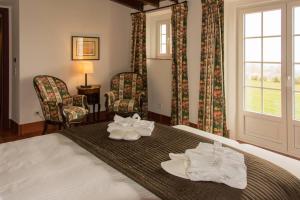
180,89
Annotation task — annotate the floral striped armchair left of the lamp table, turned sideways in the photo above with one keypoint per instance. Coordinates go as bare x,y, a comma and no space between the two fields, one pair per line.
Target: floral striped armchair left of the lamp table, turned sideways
58,106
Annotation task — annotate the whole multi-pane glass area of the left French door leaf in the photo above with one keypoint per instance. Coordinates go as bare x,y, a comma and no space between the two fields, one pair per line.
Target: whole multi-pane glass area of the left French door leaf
262,62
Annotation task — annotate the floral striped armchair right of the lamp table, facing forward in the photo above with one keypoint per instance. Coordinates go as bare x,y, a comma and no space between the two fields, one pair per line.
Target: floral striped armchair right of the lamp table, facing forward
126,96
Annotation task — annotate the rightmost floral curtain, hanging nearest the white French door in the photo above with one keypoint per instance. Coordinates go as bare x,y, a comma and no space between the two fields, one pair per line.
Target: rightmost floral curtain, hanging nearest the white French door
212,113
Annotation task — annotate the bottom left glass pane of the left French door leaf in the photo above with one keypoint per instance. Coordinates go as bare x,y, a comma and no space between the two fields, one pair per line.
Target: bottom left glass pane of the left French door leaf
253,99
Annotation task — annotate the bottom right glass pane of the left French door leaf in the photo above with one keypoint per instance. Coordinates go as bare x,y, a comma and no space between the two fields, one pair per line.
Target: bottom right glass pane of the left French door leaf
272,102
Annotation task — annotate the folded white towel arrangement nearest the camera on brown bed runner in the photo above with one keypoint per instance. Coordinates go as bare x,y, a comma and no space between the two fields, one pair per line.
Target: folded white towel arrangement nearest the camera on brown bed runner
210,163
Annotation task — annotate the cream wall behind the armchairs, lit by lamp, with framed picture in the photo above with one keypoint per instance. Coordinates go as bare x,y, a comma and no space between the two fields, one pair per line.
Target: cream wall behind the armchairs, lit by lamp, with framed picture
46,27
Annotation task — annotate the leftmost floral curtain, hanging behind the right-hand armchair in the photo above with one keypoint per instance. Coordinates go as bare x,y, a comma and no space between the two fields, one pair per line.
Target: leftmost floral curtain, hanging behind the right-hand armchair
138,51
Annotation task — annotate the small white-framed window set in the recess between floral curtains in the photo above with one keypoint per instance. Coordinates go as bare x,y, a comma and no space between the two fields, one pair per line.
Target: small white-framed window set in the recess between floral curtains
164,47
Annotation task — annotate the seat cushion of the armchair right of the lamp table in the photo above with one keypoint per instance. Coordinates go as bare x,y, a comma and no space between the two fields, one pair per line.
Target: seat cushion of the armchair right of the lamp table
125,106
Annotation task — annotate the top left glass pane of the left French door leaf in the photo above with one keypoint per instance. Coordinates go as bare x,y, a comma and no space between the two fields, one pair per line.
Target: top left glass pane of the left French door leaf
253,25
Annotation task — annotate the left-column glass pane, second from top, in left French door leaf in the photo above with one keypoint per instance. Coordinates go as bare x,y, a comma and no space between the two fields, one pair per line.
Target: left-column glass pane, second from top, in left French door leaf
253,50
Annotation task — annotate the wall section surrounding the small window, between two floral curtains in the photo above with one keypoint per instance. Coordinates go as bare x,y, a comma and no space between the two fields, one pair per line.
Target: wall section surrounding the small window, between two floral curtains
159,71
